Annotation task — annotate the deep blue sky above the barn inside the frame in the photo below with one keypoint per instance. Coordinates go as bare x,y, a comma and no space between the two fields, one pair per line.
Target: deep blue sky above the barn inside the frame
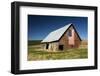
39,26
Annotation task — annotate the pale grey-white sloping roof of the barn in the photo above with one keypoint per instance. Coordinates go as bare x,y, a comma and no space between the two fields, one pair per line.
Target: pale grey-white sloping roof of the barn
56,35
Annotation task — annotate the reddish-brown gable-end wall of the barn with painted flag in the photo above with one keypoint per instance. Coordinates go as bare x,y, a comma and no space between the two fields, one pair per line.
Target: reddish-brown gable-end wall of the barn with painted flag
70,42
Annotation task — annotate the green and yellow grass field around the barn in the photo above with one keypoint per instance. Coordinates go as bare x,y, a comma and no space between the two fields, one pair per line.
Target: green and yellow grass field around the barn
35,52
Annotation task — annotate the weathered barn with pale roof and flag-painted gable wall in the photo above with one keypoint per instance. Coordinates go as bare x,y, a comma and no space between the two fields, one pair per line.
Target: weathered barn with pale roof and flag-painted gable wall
63,38
